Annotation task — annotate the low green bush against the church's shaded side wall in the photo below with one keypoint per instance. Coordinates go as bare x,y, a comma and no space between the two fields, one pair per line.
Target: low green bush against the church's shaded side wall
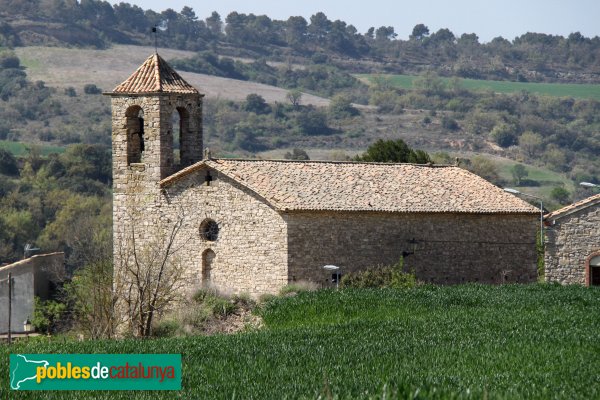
392,276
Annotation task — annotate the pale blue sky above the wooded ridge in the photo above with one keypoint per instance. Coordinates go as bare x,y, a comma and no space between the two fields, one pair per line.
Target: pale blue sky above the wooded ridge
487,18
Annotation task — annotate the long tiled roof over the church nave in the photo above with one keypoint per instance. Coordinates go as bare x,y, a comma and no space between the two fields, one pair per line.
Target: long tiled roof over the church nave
352,186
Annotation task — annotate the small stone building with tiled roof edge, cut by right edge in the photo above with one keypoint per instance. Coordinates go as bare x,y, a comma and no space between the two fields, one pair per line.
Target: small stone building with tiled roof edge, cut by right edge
573,243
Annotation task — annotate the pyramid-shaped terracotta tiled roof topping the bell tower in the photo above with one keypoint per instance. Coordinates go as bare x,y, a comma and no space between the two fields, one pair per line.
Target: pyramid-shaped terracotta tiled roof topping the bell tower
155,76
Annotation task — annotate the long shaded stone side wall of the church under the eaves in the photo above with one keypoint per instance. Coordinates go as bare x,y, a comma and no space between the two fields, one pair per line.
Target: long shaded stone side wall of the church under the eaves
448,248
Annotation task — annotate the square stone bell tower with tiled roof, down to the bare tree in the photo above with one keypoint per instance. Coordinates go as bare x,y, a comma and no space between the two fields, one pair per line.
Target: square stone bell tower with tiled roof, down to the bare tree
156,131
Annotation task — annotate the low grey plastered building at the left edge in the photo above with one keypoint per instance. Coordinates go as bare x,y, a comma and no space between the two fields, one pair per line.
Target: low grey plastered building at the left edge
34,276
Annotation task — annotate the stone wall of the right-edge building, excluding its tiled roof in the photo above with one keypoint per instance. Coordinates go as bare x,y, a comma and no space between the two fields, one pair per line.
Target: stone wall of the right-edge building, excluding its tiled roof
571,241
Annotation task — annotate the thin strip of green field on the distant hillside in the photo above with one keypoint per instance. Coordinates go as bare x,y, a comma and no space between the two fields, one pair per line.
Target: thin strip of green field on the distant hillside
582,91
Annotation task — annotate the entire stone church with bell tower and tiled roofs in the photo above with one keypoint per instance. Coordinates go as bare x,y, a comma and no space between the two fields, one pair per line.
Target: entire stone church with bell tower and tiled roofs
254,225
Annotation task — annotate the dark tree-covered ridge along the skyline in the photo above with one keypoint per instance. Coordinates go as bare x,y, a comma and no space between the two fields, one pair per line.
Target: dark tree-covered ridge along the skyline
97,23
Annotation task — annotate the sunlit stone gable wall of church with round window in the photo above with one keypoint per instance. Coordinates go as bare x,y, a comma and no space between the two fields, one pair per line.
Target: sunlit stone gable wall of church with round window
250,252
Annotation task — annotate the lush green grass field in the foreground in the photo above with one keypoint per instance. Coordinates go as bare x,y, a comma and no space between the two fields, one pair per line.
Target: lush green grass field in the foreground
472,341
